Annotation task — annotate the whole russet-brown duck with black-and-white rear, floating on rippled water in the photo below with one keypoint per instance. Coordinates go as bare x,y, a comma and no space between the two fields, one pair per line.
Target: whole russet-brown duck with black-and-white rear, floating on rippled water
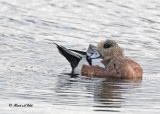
105,60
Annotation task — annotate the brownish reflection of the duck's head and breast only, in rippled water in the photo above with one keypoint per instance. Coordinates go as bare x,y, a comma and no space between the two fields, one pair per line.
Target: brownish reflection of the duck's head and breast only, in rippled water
108,94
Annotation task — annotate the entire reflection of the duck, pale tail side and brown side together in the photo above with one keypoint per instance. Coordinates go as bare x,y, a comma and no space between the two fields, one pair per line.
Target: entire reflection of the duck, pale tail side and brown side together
101,94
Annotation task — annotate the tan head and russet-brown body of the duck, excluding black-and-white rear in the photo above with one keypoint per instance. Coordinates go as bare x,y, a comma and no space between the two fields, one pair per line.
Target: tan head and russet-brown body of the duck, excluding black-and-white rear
116,64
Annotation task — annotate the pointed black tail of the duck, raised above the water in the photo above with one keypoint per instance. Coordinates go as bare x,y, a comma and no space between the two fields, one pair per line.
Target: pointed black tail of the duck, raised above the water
70,56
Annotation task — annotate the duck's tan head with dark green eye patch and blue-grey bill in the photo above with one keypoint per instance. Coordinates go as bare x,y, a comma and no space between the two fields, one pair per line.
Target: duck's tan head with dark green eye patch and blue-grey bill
108,49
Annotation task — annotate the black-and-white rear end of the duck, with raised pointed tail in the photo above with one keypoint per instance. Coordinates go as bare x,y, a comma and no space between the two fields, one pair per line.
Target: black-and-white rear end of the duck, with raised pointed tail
78,58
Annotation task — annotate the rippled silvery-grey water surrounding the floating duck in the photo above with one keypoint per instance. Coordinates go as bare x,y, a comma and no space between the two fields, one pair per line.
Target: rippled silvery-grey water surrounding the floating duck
32,70
